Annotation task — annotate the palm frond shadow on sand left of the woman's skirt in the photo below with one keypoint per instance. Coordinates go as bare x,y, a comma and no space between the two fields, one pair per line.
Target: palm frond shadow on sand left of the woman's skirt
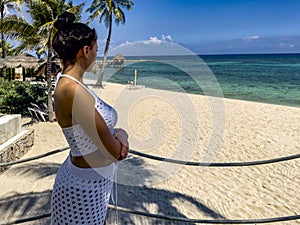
17,206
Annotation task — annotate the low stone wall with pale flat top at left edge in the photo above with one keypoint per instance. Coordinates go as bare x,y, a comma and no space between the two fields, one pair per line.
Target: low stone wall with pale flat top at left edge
16,147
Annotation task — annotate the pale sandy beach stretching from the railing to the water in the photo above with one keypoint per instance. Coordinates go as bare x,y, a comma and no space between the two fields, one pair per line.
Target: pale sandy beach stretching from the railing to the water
185,127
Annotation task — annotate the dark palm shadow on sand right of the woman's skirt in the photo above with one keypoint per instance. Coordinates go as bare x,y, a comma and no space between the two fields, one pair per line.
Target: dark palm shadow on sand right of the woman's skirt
140,197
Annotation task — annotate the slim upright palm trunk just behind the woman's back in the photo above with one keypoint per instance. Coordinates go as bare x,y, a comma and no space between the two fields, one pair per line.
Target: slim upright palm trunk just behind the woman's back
49,85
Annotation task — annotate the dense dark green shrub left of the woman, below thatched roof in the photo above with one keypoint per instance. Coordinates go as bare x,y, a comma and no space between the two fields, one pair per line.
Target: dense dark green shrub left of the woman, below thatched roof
15,96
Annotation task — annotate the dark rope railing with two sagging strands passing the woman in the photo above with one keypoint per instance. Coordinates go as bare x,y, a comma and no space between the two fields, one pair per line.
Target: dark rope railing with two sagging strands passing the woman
164,217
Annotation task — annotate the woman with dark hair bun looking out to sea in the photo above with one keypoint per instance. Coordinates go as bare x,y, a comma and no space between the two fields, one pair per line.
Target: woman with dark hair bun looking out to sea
83,183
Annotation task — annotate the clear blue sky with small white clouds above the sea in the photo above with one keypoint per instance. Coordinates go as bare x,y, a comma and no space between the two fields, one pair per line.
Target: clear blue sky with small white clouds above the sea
212,26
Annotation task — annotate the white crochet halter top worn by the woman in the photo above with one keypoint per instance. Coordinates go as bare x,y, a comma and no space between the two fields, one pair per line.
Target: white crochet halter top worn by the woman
80,143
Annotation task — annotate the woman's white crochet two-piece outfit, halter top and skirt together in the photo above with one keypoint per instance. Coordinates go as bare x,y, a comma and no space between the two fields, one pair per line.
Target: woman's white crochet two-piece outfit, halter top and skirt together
81,195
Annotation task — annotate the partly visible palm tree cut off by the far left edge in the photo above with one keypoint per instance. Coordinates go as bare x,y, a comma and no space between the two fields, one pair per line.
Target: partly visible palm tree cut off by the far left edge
5,7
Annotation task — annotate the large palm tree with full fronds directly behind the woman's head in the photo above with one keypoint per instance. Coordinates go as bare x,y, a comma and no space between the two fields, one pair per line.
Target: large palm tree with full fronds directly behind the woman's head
39,33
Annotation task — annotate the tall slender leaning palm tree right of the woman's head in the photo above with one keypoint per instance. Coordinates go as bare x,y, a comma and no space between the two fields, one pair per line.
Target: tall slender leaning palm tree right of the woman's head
106,10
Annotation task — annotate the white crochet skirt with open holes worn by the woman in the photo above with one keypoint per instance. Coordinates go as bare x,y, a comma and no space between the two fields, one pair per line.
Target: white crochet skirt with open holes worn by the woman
81,195
